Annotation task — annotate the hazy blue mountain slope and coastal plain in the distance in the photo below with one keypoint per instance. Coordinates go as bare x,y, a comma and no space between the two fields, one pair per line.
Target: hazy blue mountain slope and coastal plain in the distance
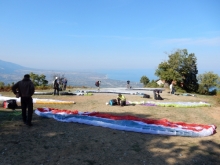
11,72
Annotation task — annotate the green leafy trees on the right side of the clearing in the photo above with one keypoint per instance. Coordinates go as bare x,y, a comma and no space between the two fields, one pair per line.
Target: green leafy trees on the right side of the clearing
181,67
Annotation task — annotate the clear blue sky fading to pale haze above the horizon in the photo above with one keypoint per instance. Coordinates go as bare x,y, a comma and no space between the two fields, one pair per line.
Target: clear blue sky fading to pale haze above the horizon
108,34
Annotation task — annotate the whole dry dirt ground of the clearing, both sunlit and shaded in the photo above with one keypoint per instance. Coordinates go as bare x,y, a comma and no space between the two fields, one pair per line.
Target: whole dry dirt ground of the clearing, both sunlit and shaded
49,142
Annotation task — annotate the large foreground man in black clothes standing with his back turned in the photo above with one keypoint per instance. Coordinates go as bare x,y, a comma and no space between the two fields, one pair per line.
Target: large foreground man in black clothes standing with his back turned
25,89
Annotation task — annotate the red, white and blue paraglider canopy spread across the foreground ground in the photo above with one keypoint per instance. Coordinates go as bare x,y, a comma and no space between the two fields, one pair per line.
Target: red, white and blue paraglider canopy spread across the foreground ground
129,123
